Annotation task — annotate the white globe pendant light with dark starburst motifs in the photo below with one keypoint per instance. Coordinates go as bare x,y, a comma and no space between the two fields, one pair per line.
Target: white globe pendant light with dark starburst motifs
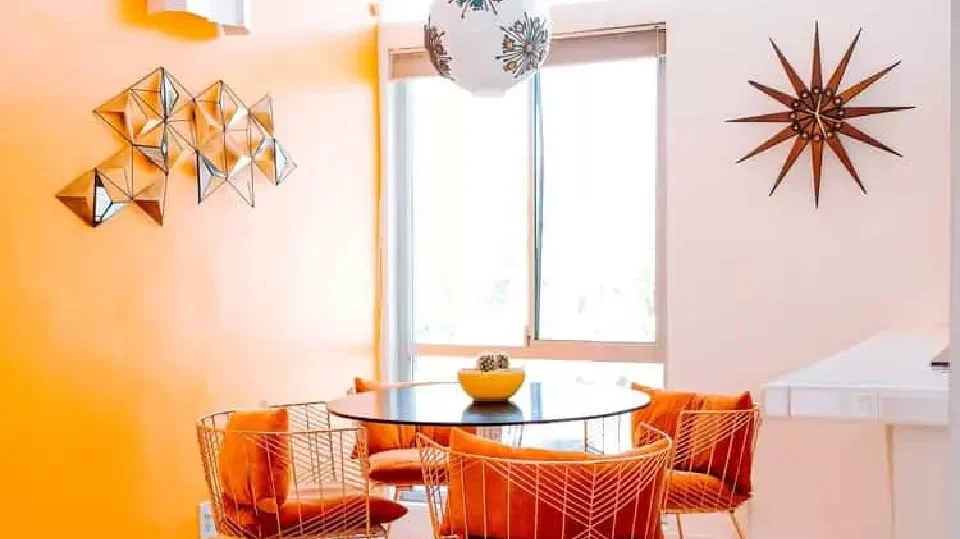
488,46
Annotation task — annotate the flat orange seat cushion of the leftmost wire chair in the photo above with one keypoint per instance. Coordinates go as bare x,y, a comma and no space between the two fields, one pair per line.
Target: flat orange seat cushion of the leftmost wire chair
315,517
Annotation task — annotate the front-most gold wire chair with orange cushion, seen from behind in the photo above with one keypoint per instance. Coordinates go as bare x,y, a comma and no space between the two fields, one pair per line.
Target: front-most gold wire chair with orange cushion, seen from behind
598,497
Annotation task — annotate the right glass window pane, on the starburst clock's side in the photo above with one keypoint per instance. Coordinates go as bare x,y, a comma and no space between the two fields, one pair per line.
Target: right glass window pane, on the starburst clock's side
599,201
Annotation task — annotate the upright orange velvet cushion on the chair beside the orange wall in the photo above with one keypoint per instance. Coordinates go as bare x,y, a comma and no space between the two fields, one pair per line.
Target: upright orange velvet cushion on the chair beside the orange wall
254,464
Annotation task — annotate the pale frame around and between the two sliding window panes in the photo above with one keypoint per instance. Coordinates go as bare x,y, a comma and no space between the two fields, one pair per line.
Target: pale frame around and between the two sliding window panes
396,331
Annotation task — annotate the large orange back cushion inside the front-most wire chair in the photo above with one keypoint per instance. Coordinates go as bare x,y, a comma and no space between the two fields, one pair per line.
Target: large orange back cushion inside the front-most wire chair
545,502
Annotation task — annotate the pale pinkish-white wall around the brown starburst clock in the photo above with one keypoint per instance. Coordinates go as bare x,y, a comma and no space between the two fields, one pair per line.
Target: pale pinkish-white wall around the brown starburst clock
760,286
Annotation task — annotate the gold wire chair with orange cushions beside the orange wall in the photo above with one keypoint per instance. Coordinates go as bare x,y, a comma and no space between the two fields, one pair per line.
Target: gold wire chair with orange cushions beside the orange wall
325,493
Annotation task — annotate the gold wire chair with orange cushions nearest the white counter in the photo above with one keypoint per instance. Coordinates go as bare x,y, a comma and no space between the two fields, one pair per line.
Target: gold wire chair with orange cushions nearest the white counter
712,468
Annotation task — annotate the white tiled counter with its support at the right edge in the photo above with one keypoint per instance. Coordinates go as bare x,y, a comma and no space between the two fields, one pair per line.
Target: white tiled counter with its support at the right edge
886,379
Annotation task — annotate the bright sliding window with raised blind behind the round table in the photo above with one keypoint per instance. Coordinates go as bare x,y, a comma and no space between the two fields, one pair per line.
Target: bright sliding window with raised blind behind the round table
531,223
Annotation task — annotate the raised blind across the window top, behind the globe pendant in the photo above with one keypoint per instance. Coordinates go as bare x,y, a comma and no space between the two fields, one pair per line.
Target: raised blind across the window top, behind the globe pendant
582,47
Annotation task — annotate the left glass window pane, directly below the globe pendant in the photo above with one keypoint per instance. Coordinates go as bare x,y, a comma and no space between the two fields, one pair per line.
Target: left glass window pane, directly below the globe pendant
469,175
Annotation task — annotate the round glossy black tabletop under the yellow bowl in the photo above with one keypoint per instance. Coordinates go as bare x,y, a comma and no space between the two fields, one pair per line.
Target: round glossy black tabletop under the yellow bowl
447,405
